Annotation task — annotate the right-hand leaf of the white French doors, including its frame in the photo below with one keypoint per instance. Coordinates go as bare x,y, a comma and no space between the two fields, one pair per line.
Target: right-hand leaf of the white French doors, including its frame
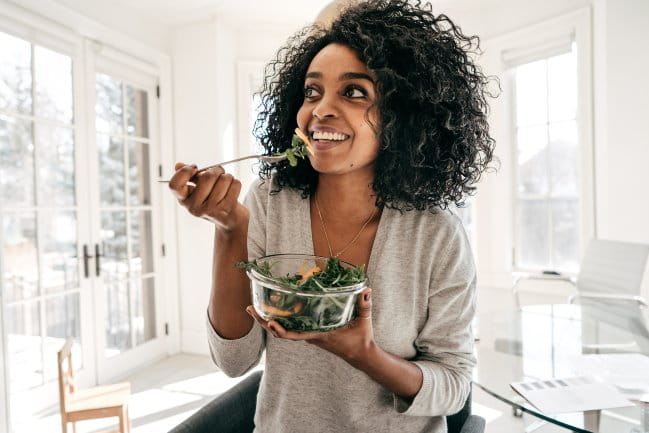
126,246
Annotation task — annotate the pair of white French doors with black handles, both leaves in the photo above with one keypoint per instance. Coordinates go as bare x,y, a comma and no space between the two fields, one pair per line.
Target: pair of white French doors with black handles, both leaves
79,231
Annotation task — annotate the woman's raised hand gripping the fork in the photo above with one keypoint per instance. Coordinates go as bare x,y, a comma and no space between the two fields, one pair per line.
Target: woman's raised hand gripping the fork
214,198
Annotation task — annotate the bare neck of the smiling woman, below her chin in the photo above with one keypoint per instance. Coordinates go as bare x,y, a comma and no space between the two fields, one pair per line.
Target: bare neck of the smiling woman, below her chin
346,198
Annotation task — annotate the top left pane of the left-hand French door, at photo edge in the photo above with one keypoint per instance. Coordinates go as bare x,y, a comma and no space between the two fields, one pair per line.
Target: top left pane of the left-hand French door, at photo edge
15,74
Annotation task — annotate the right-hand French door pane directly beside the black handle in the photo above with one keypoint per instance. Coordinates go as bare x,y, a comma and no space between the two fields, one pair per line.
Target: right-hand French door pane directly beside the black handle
114,262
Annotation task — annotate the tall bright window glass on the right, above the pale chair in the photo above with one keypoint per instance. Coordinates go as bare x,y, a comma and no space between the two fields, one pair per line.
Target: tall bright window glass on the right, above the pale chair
547,181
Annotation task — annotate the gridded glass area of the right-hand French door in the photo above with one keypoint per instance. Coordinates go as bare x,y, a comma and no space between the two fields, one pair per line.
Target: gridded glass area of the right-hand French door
127,265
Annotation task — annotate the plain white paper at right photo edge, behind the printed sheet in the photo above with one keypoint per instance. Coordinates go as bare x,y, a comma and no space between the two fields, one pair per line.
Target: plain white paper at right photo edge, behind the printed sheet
629,372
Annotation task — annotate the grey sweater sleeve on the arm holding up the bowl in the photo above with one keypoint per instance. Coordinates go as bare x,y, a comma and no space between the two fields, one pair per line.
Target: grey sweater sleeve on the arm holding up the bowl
445,343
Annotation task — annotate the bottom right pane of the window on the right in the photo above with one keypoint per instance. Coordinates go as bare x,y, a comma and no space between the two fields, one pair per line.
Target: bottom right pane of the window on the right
565,237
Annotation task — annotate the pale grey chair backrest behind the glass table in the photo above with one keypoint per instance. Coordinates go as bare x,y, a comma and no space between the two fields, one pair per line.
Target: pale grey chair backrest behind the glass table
612,267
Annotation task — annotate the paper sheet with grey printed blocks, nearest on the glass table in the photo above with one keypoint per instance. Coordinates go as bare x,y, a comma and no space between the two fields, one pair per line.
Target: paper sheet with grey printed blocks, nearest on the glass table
571,394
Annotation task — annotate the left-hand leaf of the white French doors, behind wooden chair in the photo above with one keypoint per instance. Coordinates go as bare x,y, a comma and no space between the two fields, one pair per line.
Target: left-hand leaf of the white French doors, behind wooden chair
43,217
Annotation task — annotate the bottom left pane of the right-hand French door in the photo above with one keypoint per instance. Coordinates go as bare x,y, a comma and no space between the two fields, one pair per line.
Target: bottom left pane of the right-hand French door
118,328
